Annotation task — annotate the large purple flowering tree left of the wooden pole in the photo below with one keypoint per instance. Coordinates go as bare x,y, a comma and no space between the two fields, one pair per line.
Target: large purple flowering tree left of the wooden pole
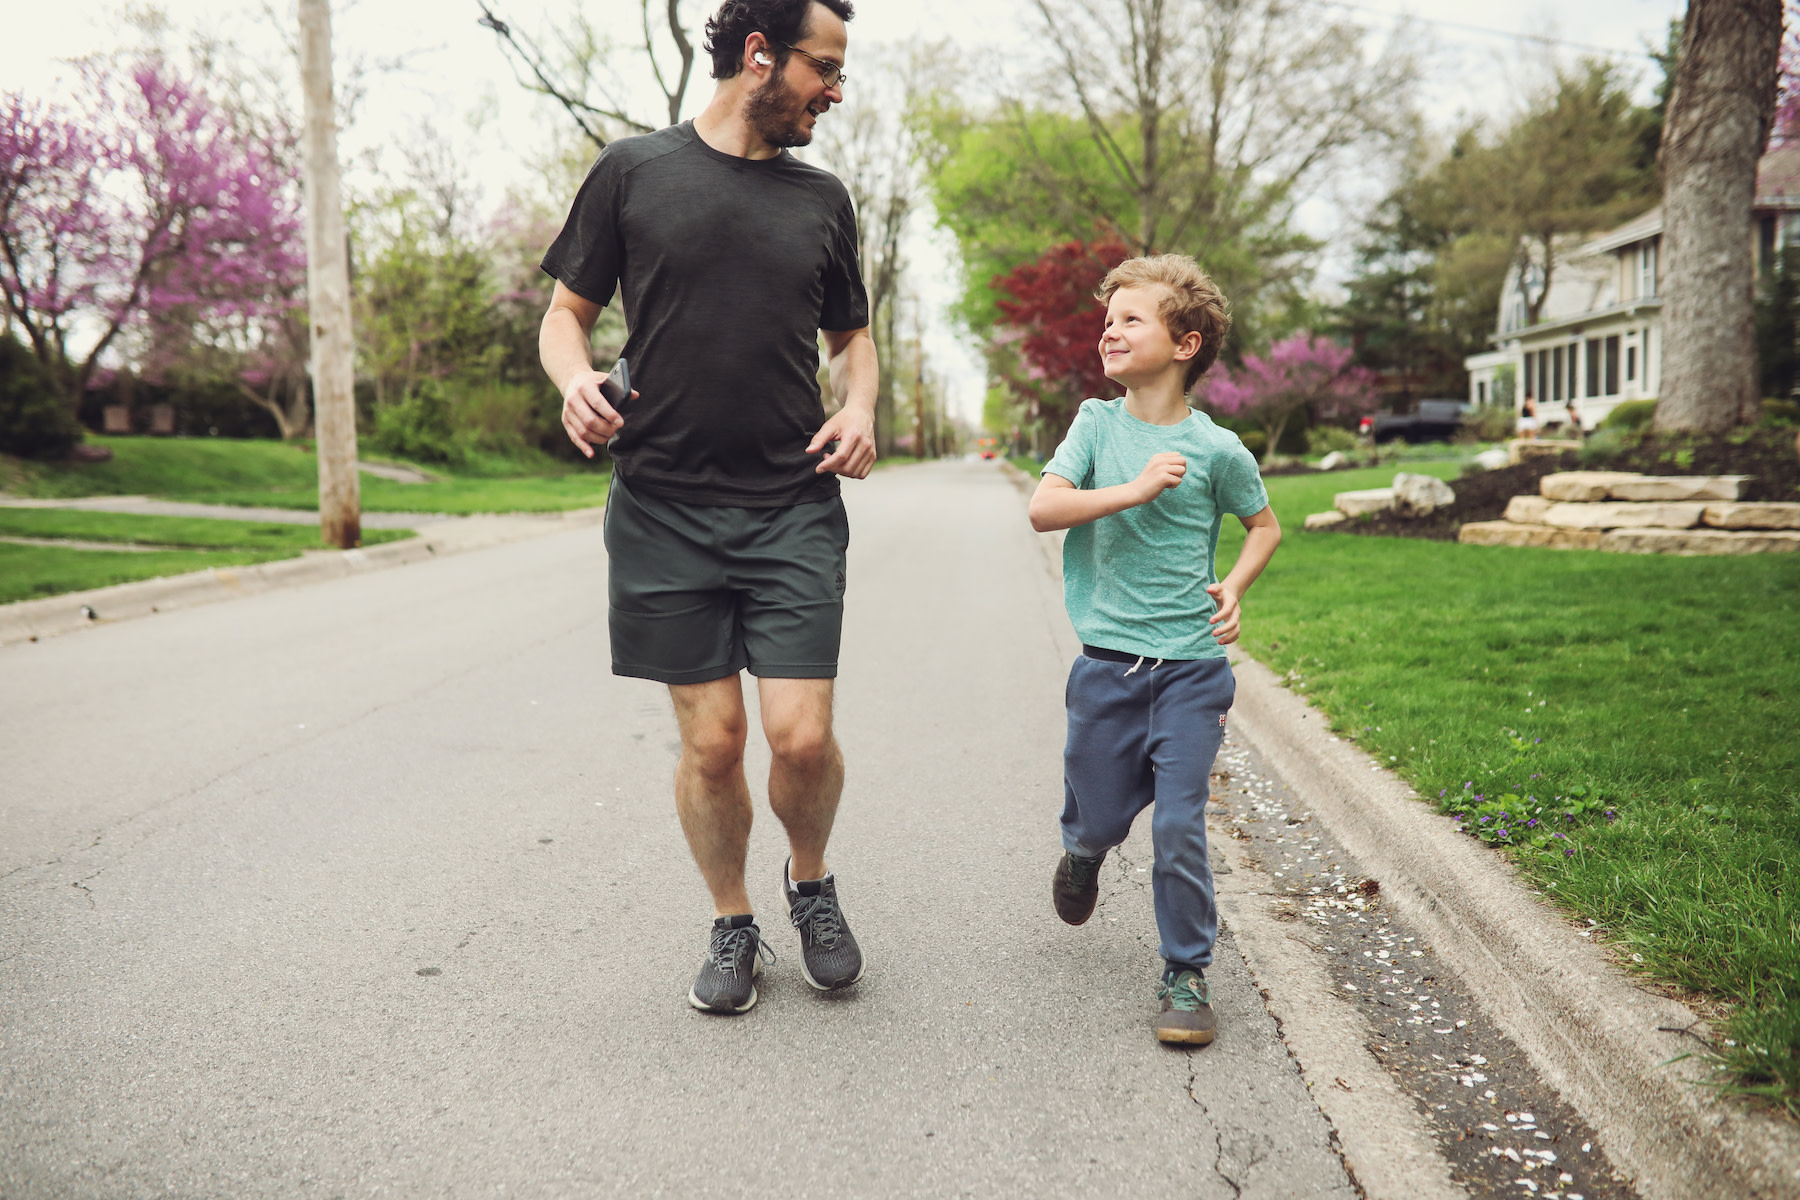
152,210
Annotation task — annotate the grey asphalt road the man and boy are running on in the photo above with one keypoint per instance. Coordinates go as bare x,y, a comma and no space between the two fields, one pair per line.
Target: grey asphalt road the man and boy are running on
375,888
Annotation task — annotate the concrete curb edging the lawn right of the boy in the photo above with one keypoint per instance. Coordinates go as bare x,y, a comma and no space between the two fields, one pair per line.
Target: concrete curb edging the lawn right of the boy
1588,1028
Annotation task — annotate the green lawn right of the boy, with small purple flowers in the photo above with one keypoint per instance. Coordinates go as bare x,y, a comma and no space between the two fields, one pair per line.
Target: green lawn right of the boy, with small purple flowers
1642,708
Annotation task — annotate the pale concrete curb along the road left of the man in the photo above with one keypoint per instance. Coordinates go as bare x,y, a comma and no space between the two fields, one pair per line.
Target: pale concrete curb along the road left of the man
28,622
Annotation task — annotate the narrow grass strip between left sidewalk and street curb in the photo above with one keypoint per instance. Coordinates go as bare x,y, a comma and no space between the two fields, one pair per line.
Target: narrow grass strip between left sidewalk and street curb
37,571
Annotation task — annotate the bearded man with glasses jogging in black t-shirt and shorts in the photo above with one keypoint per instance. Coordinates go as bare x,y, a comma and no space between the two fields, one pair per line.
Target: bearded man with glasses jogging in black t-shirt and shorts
724,528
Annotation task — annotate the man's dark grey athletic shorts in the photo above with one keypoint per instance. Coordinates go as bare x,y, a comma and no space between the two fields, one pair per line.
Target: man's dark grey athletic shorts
699,593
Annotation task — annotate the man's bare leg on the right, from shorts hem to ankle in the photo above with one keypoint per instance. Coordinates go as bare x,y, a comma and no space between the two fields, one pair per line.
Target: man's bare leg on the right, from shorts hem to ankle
807,769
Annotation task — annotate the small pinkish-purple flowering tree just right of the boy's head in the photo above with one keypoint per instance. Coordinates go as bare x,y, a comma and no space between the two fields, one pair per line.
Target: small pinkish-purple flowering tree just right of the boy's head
1299,373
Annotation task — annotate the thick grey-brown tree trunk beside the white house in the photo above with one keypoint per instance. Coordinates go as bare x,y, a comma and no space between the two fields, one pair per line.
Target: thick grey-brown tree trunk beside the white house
1718,125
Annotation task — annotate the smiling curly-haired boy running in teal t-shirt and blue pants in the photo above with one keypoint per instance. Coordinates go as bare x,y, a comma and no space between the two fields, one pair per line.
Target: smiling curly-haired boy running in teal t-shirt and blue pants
1142,485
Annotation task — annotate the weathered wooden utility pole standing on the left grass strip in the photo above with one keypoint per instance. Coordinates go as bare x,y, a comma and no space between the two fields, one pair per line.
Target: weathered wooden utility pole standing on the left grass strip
328,291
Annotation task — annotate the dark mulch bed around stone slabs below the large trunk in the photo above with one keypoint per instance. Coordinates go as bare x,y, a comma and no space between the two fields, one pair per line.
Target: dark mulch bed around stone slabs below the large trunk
1768,456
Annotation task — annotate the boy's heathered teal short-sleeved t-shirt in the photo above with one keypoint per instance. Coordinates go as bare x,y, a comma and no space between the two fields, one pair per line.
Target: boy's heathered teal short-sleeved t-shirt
1137,582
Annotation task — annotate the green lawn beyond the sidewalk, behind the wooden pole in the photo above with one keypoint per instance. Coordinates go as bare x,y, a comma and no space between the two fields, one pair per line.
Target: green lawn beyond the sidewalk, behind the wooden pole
285,476
